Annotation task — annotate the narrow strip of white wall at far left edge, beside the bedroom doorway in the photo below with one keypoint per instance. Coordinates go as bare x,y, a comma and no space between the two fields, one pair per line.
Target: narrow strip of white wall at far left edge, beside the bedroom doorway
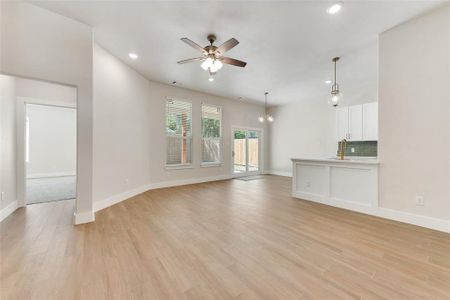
7,142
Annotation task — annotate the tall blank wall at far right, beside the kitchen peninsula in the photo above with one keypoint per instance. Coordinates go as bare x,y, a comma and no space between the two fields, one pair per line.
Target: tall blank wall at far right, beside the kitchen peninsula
414,115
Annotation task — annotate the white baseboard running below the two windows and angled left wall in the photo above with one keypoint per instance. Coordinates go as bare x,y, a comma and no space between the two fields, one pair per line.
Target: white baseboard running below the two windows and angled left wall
102,204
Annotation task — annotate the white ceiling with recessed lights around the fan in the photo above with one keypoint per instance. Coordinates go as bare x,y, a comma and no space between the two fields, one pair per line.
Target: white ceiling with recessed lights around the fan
288,45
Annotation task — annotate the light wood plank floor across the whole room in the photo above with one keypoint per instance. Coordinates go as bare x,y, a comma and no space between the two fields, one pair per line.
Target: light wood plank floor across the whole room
220,240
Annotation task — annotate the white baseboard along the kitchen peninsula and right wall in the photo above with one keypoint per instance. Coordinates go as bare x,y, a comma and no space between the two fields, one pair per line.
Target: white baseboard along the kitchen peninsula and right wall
382,212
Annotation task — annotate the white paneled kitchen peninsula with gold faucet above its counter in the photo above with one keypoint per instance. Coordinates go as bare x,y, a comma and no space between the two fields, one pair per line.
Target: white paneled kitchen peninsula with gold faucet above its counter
351,183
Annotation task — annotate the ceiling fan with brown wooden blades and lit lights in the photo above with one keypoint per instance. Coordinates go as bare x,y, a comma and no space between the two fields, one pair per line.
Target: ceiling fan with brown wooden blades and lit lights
213,58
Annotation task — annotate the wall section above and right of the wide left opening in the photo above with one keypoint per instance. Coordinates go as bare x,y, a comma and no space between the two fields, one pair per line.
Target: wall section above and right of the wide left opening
37,43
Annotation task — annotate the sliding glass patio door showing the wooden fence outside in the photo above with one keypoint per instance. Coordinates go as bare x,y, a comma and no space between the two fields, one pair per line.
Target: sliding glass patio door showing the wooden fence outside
246,152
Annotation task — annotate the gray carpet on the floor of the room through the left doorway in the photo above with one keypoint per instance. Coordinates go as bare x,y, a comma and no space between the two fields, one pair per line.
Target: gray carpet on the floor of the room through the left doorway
50,189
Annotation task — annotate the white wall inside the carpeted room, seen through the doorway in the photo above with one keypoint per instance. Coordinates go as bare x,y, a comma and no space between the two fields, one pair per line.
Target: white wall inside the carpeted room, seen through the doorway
52,141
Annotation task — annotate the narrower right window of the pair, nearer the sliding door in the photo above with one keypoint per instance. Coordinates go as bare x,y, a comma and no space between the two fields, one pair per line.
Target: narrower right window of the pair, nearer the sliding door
211,134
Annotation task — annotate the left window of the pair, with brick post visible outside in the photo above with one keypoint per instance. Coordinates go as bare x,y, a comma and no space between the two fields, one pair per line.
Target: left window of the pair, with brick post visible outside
178,133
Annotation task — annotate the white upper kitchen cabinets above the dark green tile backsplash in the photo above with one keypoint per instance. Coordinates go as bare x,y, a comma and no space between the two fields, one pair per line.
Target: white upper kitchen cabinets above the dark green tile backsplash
357,122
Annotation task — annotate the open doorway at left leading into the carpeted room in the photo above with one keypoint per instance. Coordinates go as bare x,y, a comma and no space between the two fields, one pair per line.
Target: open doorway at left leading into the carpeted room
50,153
